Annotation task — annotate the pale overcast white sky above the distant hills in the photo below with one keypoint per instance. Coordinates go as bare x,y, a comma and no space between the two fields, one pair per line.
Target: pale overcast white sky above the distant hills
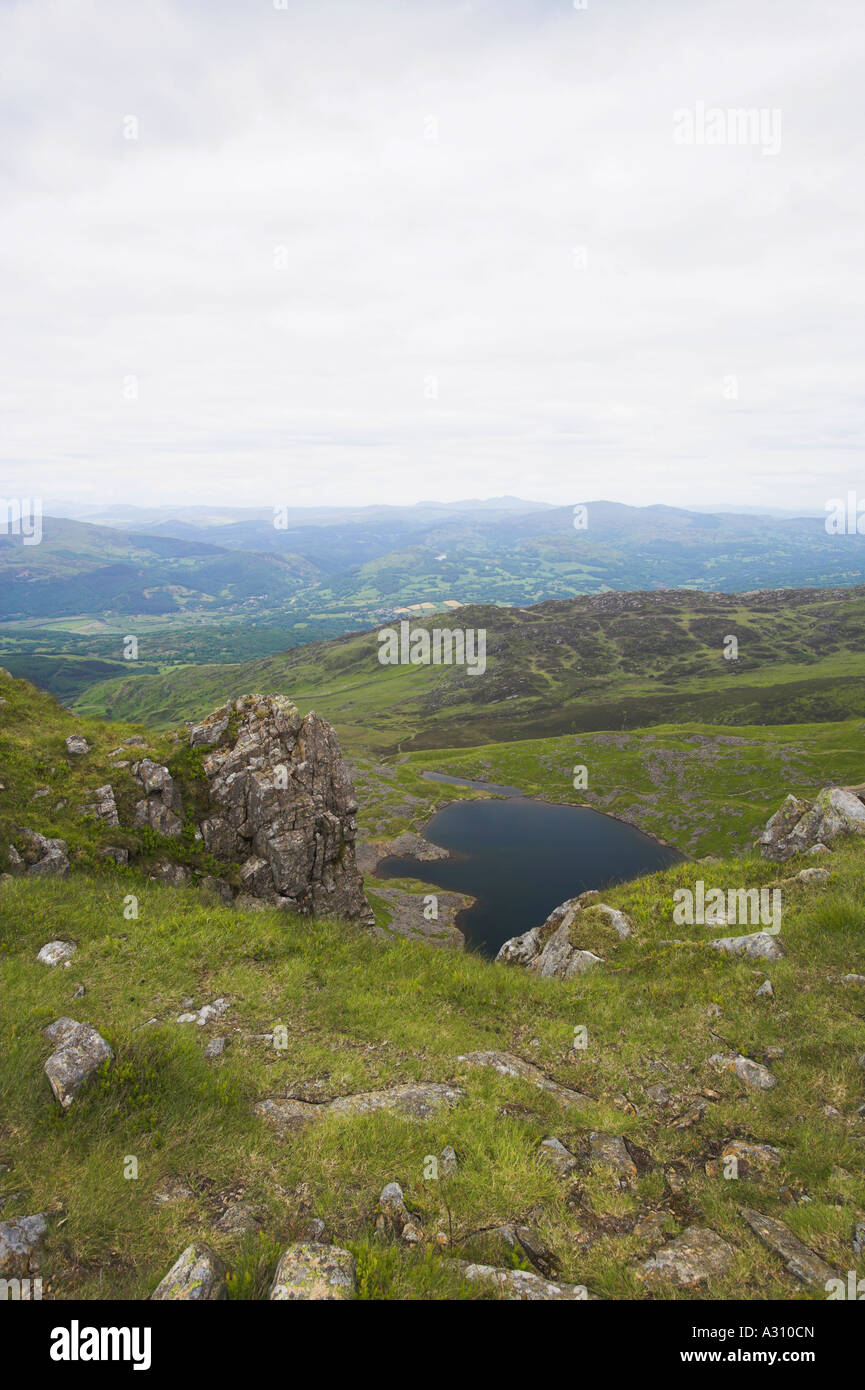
296,254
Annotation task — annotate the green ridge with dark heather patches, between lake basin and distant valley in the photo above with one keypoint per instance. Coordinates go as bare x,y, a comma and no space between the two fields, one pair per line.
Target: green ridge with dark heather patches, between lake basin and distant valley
613,662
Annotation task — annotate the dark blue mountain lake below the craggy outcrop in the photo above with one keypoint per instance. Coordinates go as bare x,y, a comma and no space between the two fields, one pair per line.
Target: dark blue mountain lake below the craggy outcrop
521,858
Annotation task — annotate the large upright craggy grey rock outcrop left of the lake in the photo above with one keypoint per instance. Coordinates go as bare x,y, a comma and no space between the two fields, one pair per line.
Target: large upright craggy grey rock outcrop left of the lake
284,807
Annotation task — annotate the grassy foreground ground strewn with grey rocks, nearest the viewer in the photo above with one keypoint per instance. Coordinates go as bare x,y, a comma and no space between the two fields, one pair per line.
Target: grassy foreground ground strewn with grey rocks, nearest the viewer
364,1013
